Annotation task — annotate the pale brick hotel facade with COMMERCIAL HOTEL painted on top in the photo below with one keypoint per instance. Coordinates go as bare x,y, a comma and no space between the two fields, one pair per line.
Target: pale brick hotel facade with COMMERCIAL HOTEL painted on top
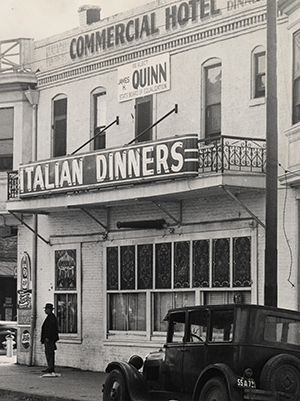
165,206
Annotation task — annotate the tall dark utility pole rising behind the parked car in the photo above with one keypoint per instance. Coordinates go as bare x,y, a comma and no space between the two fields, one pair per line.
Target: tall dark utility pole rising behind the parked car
271,274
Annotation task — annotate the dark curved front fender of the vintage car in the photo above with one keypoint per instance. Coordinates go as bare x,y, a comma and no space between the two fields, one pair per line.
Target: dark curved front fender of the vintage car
135,381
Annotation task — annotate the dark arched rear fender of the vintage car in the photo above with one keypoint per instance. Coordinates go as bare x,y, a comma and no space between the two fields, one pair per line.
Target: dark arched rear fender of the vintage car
219,370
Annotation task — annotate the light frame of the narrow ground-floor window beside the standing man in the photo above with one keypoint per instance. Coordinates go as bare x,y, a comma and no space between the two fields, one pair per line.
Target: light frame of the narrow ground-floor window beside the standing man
69,337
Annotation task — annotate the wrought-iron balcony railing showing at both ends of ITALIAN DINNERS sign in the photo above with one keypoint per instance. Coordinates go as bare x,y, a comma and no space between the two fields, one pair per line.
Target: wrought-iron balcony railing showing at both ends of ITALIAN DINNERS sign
216,155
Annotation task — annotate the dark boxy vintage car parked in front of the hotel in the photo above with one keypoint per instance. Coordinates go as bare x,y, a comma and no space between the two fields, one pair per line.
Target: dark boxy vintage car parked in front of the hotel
216,353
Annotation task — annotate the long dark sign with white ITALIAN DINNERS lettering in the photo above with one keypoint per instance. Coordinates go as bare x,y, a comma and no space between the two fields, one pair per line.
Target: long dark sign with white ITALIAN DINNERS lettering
169,158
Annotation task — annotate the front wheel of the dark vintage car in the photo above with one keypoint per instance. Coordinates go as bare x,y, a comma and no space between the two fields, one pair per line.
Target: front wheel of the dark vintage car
115,387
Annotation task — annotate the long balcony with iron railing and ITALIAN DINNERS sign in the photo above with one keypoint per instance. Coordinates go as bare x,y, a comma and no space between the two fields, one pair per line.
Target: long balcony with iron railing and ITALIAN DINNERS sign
139,172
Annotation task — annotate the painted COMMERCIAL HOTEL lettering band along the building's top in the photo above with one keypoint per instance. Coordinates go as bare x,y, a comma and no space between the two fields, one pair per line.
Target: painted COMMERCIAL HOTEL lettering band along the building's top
162,21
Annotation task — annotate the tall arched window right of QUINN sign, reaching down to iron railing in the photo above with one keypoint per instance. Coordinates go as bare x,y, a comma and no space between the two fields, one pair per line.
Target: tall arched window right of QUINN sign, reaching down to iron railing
213,94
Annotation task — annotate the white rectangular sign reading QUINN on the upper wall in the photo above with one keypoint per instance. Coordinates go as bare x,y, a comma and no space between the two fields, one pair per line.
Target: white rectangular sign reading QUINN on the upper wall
144,77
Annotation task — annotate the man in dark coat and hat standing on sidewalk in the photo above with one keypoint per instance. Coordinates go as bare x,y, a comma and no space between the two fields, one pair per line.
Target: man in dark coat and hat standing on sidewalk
49,336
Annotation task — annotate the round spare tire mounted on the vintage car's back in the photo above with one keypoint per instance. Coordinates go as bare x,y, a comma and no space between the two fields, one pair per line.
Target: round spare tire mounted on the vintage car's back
281,373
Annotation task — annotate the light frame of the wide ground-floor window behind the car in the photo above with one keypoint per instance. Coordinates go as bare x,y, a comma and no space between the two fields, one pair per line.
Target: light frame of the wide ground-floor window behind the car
197,293
